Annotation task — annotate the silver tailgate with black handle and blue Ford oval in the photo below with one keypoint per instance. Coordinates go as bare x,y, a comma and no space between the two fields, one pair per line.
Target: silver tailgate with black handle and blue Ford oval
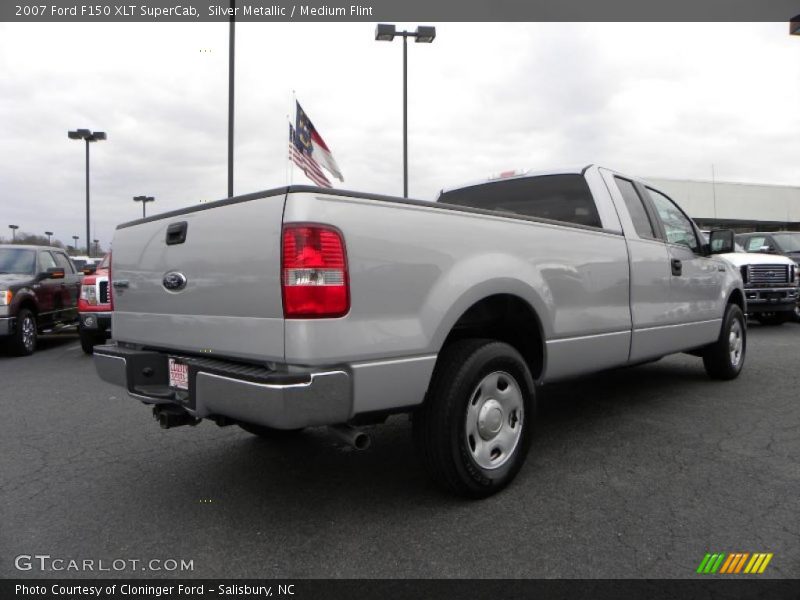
204,280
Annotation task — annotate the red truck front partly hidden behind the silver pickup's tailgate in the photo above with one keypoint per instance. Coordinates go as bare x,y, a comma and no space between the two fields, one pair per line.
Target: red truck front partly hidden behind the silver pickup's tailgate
94,307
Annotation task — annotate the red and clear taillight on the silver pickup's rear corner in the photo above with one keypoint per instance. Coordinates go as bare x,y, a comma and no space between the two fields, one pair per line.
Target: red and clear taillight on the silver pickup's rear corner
314,273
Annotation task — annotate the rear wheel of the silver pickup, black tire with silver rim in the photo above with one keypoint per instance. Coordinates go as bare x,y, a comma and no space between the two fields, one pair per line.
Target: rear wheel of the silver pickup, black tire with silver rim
456,399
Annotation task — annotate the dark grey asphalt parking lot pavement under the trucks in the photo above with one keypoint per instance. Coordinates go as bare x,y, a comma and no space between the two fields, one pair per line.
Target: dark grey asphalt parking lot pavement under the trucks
633,473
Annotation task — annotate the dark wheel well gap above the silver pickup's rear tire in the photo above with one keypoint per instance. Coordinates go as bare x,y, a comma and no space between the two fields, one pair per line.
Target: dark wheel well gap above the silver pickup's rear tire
506,318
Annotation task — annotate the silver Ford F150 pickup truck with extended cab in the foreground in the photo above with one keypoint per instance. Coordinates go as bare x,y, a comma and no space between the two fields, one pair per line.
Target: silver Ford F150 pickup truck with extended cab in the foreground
302,306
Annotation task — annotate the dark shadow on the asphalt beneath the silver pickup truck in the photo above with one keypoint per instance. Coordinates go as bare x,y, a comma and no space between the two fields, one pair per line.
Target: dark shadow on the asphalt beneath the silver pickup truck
314,464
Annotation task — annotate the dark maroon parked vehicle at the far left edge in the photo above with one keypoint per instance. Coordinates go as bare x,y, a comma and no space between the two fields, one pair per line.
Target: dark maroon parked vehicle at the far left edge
38,294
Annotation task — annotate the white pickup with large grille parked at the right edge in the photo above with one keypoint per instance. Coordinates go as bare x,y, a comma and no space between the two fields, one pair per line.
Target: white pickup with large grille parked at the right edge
771,285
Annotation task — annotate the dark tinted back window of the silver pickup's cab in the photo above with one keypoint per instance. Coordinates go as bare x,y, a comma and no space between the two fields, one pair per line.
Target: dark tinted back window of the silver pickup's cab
565,198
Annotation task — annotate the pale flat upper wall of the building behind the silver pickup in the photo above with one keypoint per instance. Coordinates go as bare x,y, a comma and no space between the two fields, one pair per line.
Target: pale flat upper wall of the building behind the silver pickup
738,206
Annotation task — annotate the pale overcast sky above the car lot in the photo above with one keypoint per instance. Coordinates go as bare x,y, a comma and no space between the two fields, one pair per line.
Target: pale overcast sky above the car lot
665,100
